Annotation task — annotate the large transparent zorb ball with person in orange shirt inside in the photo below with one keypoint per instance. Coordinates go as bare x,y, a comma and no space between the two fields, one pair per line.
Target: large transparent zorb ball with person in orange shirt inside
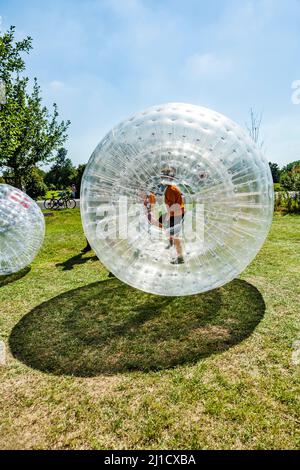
202,160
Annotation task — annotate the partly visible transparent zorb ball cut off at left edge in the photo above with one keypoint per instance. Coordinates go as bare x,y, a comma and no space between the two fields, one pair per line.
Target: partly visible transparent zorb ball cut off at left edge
22,229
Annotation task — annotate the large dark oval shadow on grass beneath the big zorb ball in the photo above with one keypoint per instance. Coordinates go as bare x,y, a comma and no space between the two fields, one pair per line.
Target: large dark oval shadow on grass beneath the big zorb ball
109,327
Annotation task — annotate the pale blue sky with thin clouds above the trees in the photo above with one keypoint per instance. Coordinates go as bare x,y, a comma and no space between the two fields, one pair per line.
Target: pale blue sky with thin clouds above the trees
102,60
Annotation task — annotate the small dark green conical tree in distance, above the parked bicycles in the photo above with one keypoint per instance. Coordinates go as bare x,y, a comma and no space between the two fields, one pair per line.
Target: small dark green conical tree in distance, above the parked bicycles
62,174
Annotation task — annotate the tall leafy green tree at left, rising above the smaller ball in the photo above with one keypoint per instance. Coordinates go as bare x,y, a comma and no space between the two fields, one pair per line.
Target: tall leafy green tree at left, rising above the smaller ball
29,134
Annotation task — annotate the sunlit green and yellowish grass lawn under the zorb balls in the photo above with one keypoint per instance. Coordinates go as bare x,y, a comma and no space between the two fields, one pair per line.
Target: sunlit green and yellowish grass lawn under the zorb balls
93,363
